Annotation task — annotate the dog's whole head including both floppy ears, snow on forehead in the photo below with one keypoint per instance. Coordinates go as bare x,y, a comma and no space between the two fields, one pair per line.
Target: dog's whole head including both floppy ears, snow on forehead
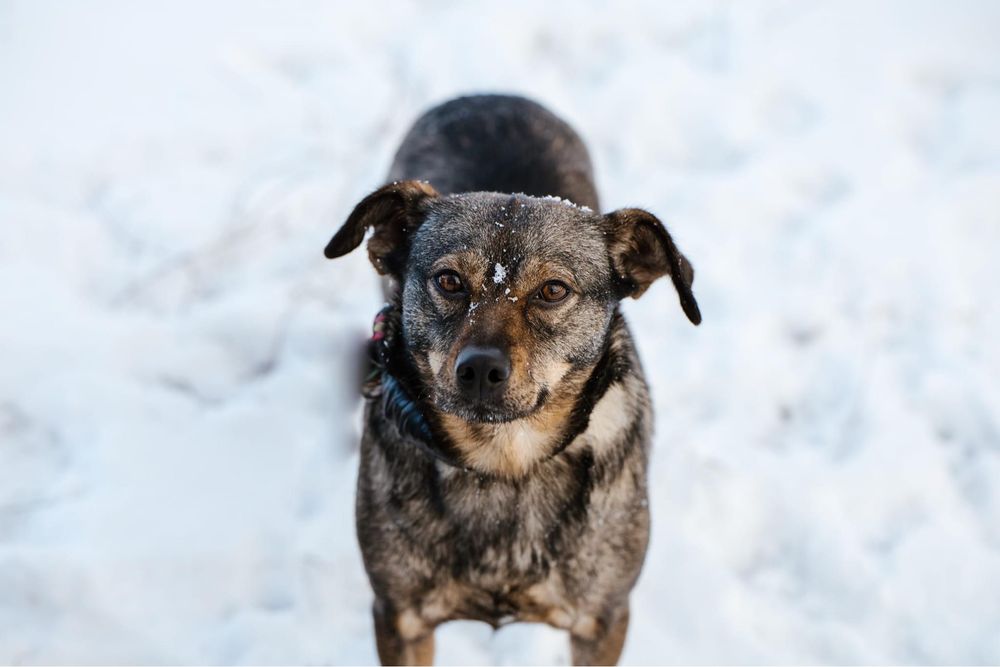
507,300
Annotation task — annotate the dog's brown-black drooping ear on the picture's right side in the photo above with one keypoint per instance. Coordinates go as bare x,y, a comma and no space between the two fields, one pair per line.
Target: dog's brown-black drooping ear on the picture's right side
642,250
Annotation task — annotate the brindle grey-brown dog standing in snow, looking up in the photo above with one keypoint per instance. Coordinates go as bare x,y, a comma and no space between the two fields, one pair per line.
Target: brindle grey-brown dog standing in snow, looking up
507,431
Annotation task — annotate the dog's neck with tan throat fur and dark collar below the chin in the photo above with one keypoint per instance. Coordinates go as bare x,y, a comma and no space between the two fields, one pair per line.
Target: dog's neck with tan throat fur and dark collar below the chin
508,449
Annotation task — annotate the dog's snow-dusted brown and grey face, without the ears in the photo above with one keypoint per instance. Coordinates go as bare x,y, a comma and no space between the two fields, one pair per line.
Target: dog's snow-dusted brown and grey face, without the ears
503,297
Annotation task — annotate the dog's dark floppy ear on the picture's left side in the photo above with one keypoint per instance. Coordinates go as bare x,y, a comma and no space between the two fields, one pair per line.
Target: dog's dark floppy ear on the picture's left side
394,211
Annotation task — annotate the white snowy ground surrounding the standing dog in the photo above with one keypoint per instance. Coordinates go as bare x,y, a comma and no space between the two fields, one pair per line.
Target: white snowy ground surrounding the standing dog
178,444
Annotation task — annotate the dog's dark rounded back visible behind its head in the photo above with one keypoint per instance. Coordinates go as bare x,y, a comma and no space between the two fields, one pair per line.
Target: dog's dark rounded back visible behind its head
496,143
